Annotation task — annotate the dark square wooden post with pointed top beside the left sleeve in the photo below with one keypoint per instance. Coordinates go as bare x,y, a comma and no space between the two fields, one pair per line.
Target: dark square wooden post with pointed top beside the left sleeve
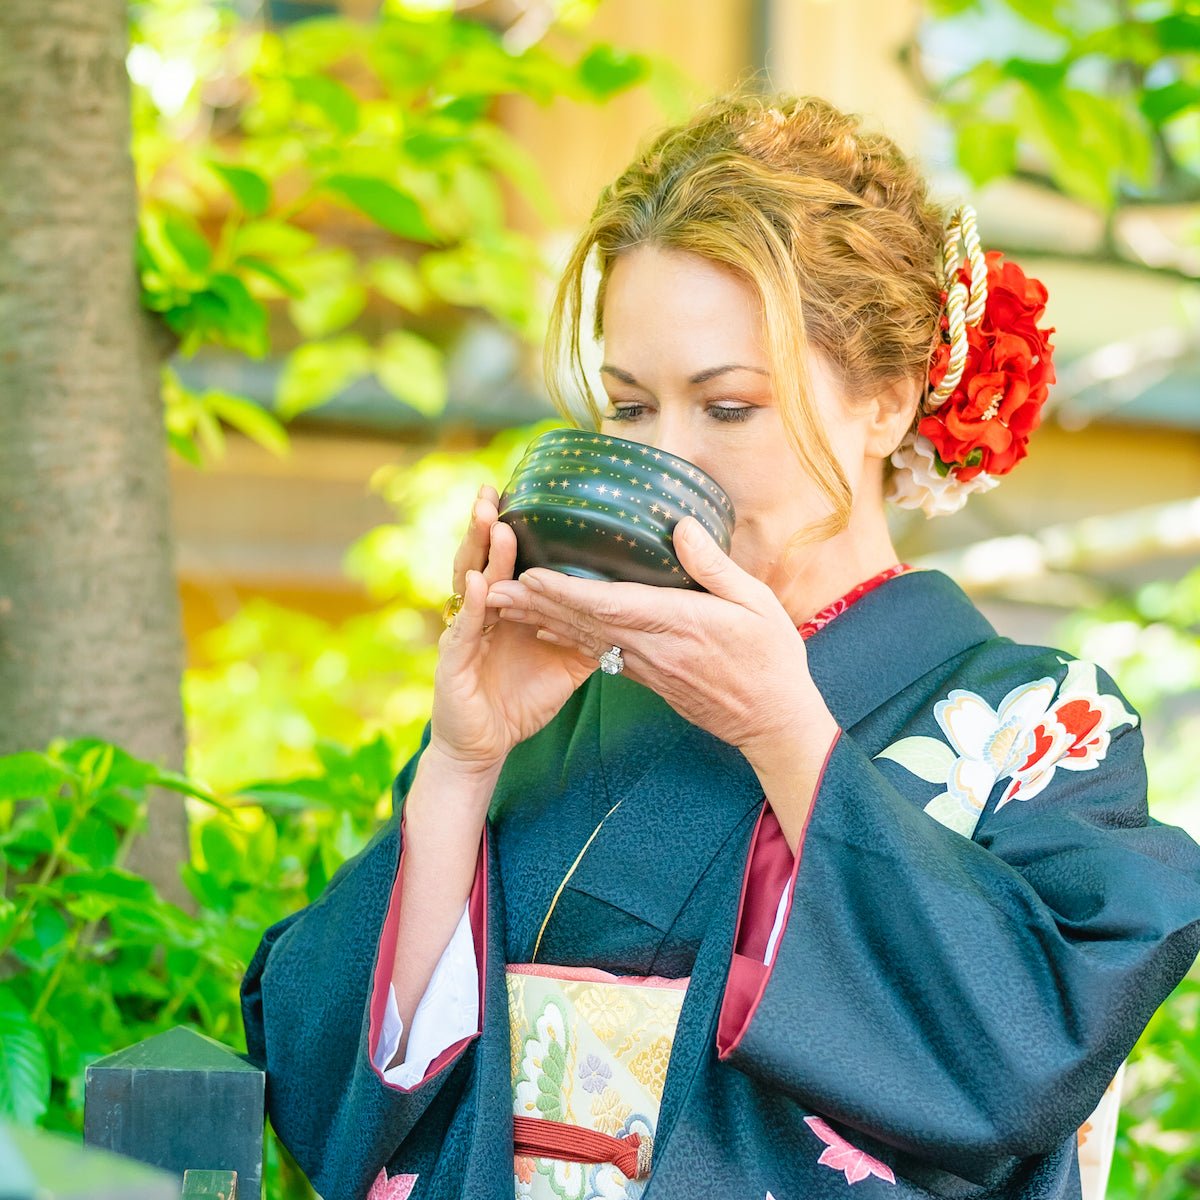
183,1102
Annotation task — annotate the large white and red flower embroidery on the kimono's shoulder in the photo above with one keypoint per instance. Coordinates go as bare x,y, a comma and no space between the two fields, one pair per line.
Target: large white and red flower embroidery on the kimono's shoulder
1027,739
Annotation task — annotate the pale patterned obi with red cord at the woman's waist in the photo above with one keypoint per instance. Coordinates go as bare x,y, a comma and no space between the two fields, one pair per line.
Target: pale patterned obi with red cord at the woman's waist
590,1064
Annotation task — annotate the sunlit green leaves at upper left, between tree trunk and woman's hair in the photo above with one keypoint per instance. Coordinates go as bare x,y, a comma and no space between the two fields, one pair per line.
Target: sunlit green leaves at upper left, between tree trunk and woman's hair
291,178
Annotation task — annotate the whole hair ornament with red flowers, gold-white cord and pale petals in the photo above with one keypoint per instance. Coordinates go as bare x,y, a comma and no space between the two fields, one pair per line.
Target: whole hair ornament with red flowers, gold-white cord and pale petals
989,376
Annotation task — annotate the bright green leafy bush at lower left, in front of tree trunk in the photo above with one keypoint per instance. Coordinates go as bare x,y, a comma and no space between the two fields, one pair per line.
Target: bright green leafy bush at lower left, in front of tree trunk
93,959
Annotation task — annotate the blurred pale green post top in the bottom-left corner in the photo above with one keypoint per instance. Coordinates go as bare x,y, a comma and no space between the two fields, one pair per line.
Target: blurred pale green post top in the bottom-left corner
40,1166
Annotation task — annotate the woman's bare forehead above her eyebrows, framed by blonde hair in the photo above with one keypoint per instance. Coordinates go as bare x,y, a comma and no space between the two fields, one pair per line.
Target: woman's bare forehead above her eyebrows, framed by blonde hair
675,307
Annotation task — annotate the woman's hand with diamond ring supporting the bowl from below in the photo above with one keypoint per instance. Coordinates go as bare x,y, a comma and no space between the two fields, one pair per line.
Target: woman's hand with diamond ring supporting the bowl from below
729,661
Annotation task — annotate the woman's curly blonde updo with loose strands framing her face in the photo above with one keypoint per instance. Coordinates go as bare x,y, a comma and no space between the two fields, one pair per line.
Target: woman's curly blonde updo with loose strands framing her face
833,227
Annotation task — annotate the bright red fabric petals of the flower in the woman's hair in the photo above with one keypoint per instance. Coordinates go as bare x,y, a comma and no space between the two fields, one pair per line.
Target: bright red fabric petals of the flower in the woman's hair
986,424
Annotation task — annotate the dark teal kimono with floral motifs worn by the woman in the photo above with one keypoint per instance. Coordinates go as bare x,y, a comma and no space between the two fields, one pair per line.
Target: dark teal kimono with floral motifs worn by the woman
949,999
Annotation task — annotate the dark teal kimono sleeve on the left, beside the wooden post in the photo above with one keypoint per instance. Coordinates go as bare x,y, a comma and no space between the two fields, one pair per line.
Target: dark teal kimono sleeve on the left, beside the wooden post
314,1000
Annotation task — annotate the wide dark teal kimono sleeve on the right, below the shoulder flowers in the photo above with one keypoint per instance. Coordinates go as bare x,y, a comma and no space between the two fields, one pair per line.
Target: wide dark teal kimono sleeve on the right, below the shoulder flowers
968,999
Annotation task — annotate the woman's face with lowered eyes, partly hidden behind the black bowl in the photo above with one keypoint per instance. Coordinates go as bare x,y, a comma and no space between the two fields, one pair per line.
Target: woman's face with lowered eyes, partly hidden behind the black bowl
686,370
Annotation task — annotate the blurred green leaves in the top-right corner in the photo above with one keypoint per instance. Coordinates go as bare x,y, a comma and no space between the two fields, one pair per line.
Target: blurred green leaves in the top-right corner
1103,100
